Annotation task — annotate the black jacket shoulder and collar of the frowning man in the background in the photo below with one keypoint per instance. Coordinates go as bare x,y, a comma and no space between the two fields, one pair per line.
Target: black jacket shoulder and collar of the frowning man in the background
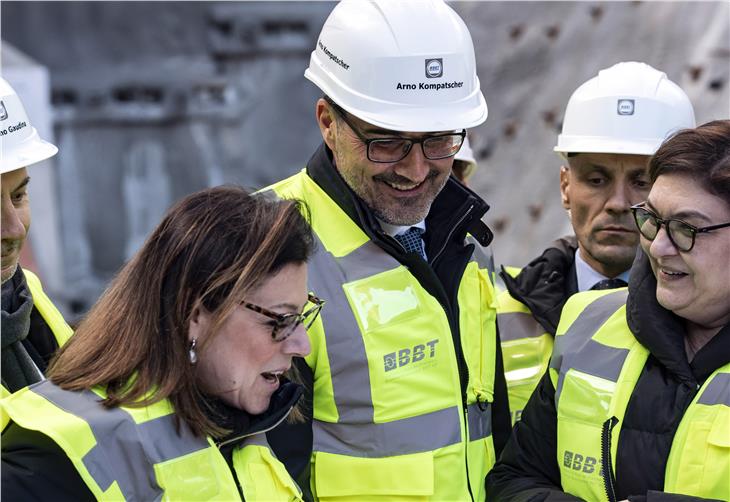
546,283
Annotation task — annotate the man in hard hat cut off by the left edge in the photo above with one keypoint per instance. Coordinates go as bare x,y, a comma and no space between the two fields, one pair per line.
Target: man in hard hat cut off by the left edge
32,328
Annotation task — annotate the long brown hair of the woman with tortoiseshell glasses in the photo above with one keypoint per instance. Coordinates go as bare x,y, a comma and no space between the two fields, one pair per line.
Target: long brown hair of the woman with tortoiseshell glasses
211,249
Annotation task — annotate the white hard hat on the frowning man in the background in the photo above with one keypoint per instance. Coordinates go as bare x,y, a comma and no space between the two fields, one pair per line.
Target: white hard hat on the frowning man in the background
629,108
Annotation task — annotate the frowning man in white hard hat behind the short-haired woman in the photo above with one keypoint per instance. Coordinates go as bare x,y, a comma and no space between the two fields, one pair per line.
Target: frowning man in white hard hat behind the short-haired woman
613,123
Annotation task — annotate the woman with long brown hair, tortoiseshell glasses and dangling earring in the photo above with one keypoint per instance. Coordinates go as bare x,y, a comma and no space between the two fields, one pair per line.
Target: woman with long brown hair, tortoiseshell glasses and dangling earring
171,380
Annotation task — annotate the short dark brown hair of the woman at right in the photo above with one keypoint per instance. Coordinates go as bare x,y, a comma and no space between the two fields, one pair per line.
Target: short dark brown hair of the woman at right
702,153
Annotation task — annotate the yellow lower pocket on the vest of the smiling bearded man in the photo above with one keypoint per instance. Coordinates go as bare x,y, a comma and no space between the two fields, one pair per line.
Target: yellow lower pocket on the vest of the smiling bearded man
401,478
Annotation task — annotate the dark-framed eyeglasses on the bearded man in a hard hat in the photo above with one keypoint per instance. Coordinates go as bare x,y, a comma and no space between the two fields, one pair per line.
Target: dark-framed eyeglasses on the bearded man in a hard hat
387,150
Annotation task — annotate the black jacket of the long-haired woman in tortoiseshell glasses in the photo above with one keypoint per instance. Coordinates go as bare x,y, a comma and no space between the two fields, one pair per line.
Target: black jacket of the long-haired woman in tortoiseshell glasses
34,467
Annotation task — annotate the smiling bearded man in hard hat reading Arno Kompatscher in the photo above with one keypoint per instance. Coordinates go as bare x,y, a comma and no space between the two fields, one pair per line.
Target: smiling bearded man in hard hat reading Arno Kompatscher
409,398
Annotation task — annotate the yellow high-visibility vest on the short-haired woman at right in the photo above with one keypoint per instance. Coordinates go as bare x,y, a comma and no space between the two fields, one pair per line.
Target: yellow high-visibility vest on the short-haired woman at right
595,367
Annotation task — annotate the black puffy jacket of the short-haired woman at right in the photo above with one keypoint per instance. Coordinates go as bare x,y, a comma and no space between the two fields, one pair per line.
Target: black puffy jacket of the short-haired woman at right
528,469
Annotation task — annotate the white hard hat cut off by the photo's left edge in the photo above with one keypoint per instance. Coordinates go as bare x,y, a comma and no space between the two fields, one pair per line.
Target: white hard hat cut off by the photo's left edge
20,144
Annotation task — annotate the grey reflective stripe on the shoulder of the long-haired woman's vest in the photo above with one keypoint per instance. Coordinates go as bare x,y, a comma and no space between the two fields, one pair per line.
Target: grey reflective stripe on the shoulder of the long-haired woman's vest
125,451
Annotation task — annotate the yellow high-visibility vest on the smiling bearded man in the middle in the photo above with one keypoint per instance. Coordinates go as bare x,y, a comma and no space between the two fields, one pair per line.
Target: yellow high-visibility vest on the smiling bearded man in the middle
389,419
